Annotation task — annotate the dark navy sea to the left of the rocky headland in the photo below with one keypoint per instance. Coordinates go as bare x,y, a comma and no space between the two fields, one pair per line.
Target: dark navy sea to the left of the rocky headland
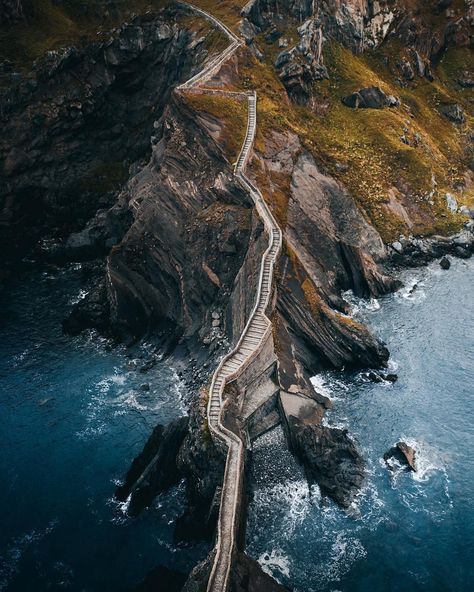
72,417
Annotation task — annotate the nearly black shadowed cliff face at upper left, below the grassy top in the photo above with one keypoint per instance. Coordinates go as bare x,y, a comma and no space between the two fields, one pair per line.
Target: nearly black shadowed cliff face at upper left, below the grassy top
72,128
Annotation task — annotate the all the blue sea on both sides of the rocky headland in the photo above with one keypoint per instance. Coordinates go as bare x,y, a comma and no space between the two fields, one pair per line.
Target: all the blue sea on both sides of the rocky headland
73,415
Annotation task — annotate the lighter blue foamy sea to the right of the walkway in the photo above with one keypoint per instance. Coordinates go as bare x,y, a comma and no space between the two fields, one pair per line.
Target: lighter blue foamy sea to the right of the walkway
407,531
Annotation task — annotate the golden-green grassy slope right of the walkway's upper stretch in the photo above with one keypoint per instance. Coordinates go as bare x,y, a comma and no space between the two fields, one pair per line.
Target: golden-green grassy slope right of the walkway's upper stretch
413,149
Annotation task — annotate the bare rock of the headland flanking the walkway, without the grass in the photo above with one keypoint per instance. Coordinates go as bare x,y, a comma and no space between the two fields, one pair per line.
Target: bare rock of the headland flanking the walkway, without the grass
104,164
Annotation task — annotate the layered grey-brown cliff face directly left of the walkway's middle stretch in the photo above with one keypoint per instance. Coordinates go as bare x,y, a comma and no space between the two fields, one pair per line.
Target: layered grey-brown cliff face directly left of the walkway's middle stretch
175,269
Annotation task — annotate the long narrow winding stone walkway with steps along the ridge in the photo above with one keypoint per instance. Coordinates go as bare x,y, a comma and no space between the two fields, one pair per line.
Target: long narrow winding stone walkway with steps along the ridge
253,336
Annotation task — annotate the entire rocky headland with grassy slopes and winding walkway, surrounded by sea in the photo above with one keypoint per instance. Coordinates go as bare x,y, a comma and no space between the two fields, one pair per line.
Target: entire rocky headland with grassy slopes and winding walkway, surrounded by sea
225,173
